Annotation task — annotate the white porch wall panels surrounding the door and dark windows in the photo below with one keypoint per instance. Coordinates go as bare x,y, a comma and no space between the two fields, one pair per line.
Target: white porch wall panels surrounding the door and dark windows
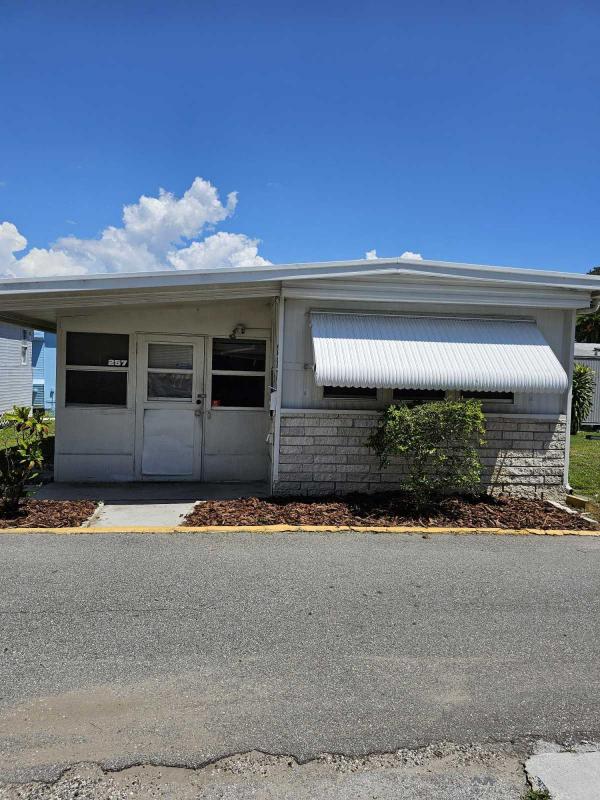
97,443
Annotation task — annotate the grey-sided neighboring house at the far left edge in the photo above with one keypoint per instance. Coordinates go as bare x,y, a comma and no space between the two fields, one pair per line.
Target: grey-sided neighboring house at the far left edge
15,366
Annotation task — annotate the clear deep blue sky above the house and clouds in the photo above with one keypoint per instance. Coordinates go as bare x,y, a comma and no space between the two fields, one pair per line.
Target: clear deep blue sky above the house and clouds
463,131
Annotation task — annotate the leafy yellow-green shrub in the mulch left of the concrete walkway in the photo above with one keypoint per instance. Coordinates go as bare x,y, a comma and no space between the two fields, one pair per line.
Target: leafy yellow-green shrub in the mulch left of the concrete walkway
21,463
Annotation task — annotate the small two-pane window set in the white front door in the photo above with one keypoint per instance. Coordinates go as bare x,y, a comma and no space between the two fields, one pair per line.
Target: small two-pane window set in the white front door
170,371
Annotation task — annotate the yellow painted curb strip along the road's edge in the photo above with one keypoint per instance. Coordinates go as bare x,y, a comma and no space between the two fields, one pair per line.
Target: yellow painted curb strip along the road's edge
270,529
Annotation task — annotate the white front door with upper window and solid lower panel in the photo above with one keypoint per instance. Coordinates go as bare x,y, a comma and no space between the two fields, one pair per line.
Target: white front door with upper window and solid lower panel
170,406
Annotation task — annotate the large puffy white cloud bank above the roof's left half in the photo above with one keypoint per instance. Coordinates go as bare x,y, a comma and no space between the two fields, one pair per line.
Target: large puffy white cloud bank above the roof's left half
157,233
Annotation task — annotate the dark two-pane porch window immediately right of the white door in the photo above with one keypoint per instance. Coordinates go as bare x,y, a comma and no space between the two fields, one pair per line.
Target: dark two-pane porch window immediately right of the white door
238,373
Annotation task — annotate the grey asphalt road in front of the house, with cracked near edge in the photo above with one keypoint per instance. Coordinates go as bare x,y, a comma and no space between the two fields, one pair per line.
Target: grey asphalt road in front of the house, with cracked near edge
182,649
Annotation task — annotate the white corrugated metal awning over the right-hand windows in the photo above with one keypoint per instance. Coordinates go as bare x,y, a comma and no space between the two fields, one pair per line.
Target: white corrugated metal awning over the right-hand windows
451,353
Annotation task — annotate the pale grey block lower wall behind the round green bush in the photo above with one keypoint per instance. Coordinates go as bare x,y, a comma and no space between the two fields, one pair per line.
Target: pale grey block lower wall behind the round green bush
325,453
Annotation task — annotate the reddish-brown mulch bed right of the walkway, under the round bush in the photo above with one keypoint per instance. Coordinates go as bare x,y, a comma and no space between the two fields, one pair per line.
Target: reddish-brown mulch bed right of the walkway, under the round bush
387,509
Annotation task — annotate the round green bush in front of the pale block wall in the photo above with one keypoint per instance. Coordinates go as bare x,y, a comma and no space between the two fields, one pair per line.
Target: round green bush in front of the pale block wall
439,442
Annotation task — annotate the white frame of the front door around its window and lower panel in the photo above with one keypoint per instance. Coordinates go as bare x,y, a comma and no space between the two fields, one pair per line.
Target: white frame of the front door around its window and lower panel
198,341
